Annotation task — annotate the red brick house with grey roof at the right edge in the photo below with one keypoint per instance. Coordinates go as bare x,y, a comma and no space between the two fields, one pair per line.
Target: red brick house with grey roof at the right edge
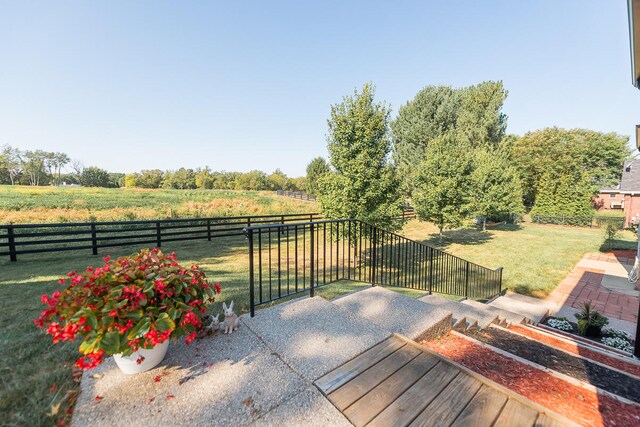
624,197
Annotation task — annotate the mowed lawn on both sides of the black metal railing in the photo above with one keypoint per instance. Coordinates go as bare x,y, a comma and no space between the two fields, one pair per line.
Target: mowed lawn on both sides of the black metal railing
35,375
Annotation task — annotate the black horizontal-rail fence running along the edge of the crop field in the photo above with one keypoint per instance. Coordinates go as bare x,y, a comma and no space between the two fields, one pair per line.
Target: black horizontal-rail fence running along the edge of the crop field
17,239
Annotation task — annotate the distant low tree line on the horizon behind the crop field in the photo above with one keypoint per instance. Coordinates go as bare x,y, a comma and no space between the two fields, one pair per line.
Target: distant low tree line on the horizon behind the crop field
40,167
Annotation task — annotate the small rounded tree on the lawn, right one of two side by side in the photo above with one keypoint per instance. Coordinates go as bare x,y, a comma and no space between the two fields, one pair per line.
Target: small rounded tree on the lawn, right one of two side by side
496,186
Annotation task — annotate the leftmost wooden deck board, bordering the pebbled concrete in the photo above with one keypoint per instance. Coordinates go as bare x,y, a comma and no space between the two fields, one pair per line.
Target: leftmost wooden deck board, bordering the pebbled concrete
354,367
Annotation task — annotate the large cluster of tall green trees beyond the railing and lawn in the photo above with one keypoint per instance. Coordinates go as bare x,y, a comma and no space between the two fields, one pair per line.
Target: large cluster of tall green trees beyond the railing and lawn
447,153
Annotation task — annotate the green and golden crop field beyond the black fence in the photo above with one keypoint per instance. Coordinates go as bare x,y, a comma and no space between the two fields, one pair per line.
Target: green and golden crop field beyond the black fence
23,204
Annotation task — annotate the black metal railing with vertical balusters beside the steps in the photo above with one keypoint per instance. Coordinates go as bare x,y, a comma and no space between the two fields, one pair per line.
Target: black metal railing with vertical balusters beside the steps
289,259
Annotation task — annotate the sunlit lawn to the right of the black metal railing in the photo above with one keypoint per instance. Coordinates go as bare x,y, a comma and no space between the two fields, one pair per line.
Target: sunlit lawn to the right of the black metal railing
535,257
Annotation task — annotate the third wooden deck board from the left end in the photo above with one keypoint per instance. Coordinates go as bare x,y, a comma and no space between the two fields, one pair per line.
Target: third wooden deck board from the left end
374,402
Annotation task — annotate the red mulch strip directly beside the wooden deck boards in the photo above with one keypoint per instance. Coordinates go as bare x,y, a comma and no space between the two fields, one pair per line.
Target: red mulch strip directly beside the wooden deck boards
583,406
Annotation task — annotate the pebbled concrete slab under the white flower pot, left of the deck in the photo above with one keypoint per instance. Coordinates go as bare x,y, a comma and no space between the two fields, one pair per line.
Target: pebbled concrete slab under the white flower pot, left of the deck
220,380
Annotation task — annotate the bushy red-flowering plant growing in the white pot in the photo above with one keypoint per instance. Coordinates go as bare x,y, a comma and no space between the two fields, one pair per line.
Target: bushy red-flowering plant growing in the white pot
131,303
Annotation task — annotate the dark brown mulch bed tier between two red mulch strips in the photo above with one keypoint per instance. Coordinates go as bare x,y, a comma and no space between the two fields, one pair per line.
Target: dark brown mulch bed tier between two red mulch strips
584,370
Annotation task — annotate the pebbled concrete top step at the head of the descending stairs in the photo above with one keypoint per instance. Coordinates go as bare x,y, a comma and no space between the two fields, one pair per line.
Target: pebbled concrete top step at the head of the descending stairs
396,313
